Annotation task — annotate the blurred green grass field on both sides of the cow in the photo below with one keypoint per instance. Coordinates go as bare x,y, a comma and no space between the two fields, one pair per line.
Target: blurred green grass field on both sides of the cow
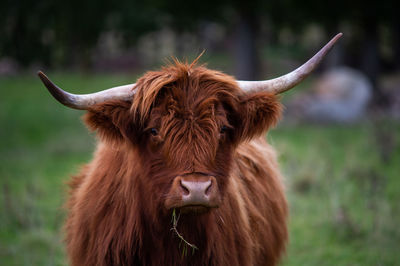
343,182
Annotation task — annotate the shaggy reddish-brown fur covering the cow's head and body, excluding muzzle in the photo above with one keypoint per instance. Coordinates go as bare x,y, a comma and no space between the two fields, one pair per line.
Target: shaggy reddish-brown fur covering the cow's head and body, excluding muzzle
204,123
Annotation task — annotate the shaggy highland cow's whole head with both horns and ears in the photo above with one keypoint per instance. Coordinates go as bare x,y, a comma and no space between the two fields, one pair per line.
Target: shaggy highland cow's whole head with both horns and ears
184,122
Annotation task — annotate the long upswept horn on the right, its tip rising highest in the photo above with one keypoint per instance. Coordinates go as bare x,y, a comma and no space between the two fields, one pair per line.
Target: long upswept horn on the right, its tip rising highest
288,81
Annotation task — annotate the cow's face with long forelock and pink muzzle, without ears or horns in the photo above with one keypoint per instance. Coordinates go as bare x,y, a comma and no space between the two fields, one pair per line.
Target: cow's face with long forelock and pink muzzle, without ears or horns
188,141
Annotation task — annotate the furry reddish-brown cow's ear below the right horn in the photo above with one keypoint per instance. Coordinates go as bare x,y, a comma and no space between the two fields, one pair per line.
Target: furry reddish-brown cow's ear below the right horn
258,111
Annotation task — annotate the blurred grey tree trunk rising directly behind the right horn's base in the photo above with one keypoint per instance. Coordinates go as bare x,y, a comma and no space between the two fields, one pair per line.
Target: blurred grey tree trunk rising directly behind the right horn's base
245,47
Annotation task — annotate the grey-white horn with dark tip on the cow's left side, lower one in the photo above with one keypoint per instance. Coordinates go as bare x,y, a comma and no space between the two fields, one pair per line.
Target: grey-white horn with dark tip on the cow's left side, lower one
84,101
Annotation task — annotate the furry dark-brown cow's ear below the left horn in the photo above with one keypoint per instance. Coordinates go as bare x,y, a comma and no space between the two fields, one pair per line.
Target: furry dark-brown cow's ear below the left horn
111,120
